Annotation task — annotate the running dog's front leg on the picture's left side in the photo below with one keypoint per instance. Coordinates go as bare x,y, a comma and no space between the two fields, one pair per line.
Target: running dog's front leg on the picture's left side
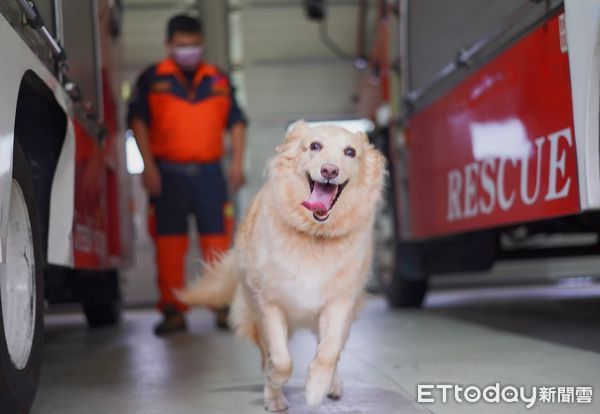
279,361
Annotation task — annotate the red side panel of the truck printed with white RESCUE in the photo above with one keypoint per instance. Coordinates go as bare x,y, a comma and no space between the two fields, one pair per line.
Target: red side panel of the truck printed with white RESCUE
500,147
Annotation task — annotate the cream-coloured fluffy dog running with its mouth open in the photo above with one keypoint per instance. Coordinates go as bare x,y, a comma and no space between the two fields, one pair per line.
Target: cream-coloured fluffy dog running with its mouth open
302,255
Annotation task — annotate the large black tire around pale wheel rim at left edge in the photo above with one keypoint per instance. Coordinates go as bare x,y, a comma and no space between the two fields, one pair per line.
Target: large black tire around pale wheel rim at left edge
18,386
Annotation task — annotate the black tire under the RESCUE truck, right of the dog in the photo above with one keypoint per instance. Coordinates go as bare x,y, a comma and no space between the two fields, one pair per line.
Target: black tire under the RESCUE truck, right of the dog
408,285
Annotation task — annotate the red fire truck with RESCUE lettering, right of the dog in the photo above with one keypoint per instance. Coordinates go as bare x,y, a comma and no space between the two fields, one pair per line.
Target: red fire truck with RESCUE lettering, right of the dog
497,151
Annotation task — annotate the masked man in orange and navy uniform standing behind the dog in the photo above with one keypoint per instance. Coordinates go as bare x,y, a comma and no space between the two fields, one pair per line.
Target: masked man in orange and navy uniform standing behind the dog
179,113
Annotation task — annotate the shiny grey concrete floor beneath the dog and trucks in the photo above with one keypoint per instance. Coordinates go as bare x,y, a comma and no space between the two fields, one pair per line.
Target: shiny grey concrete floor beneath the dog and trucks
532,337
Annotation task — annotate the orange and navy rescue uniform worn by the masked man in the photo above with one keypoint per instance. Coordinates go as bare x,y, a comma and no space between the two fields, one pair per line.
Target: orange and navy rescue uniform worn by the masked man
187,115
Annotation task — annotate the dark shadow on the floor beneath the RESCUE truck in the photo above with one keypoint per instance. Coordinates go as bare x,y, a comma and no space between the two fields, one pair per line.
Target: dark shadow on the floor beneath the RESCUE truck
546,313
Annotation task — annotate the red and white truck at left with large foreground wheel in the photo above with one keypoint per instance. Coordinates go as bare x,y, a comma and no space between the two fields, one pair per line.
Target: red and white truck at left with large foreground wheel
63,192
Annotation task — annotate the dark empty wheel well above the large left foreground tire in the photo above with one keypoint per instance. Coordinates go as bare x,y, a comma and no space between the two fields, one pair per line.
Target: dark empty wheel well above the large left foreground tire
40,127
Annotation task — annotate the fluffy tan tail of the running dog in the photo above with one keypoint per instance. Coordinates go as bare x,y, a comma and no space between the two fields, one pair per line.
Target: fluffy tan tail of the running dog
216,288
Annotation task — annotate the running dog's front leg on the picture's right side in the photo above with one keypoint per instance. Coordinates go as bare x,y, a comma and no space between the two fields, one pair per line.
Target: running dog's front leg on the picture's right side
334,326
